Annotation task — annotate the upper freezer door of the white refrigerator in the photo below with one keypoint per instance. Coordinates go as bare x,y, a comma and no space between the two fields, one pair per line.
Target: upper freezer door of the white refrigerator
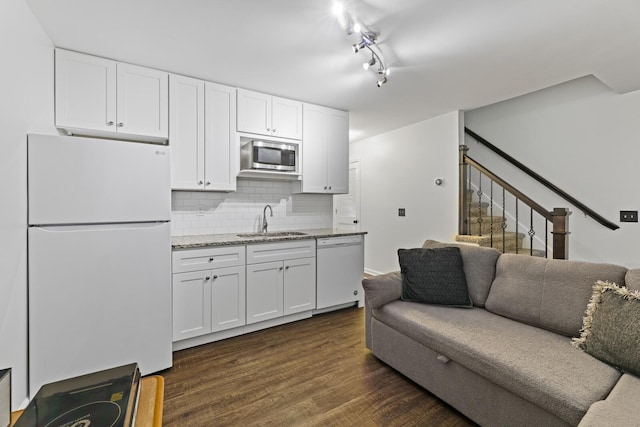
87,181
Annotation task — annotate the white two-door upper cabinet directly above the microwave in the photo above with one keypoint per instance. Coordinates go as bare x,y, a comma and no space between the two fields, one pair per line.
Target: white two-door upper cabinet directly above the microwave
263,114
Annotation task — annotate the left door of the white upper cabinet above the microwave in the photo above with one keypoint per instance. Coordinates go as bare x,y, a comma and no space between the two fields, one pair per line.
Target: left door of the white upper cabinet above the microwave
254,112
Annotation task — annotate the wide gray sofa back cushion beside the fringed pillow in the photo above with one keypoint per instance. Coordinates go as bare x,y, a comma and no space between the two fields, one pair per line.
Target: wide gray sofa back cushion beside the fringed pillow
548,293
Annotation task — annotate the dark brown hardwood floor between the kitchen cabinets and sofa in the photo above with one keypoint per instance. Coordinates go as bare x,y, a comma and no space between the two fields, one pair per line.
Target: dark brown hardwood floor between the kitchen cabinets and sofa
315,372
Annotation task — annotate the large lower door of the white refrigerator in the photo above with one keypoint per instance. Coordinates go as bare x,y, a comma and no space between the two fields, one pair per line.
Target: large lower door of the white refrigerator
99,297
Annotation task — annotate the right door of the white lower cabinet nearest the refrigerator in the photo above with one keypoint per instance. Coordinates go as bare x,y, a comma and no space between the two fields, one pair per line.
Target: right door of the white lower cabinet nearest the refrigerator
227,298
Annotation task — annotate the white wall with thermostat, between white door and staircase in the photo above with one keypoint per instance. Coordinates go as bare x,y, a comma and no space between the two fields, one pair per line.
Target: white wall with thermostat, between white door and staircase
398,170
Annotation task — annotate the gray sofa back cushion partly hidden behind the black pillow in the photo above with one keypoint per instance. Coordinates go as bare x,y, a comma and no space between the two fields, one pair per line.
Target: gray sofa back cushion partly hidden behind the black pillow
479,268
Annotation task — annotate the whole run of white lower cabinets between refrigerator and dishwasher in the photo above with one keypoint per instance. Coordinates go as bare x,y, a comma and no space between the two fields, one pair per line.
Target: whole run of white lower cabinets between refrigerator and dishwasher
224,291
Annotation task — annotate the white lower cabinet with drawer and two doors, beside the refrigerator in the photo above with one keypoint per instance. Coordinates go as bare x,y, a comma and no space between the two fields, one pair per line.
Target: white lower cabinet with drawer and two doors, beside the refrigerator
210,297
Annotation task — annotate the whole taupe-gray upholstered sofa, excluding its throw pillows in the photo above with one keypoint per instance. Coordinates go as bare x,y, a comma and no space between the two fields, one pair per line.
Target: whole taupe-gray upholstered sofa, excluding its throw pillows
508,361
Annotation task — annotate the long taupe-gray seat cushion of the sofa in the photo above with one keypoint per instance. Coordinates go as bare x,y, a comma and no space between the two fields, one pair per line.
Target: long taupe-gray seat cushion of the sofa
535,364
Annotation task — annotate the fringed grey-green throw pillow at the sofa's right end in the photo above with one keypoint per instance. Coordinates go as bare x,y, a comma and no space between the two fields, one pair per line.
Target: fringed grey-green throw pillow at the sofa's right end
611,330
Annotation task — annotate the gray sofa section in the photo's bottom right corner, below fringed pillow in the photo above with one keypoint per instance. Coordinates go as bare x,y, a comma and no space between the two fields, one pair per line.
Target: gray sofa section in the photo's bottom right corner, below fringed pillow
620,408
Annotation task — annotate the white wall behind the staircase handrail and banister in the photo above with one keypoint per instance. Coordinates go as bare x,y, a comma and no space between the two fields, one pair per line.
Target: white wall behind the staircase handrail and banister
583,137
